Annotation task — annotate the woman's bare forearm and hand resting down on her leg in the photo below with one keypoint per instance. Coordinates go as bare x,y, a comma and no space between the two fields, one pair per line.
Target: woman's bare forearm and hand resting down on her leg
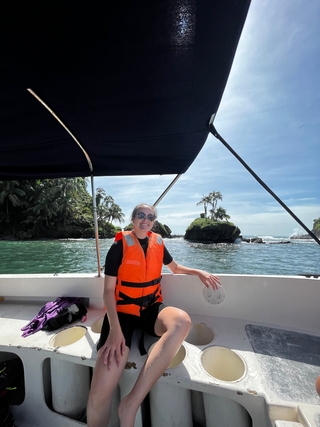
115,343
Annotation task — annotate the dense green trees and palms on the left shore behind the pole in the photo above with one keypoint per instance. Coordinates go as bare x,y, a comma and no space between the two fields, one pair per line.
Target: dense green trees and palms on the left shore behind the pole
54,208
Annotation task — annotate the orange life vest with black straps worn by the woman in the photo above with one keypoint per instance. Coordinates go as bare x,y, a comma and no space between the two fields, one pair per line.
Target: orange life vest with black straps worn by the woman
139,276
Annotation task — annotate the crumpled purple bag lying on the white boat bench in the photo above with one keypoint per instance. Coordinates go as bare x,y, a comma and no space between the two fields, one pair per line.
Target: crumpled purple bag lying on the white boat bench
47,312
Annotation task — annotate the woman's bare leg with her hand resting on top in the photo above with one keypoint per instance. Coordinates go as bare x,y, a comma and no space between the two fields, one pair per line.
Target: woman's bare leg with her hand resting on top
103,384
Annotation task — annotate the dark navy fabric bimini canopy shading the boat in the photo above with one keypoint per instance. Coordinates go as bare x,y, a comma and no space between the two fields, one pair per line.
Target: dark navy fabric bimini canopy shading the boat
135,82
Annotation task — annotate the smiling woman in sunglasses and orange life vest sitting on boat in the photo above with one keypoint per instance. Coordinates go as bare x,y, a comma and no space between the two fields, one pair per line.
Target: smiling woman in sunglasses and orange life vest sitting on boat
132,297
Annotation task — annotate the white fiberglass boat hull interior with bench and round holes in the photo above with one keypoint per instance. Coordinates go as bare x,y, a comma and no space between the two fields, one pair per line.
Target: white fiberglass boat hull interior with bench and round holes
250,360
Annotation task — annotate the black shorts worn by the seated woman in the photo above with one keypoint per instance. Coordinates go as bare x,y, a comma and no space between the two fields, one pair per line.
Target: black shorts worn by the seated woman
130,323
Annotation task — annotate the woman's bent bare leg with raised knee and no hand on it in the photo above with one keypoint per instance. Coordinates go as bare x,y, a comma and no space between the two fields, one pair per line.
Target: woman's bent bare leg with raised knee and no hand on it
173,326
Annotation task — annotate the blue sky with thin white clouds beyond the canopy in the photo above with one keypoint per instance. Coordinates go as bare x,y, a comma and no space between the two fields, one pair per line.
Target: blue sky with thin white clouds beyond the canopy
270,115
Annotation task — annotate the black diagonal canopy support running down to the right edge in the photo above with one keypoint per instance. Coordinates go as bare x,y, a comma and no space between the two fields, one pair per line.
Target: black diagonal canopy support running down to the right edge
214,132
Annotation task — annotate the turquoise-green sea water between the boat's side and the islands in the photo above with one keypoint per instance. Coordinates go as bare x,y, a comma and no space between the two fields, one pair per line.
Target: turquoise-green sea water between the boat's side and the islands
79,256
